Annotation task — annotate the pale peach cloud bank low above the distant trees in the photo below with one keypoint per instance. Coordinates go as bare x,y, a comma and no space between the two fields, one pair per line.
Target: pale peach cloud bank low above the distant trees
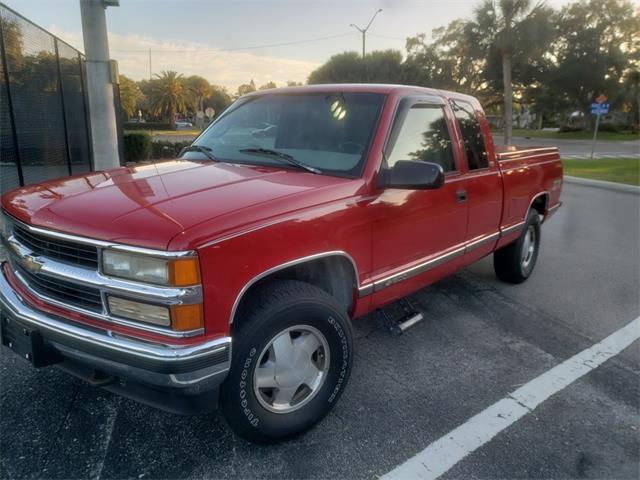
227,68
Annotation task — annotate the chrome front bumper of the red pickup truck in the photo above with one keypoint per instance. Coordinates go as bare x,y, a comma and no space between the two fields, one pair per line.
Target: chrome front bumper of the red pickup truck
189,369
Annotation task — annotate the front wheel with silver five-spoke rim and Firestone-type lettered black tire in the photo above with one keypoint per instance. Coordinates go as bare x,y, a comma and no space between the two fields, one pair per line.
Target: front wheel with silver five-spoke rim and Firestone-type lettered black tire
291,360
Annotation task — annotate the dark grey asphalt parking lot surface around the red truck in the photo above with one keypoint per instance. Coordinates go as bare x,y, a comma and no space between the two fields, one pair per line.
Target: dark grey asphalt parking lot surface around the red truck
481,339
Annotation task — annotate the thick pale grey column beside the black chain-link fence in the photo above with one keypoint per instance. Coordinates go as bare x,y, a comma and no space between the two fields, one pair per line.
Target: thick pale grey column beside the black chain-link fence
104,133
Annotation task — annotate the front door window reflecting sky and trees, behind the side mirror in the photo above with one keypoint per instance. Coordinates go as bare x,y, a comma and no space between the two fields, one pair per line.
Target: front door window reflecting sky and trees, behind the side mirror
423,136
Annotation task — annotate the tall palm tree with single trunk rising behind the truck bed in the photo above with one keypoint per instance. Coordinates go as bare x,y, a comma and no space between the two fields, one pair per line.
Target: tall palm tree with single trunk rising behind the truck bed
509,26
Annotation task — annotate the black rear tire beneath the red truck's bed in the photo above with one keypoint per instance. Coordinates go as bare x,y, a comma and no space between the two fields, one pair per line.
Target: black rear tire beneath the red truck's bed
508,262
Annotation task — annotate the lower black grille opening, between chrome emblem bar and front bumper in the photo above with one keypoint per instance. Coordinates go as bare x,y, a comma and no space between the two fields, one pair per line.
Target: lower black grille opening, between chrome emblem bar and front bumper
62,291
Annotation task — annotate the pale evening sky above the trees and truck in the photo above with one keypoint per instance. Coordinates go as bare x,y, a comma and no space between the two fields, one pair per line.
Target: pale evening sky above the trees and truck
230,42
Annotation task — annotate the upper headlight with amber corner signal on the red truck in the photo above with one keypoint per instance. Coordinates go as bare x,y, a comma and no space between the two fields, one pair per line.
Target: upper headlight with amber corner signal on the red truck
146,269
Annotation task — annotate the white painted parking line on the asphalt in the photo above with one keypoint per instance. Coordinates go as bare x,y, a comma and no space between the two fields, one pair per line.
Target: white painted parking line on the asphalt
445,452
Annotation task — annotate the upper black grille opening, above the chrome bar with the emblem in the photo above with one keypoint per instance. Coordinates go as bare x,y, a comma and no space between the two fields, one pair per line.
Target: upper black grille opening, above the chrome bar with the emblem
62,250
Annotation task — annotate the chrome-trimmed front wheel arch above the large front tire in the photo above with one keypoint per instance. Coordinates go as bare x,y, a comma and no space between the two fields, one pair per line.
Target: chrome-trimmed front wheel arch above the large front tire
335,272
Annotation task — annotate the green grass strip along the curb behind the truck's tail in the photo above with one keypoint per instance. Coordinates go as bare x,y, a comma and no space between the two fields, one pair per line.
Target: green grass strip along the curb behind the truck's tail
619,170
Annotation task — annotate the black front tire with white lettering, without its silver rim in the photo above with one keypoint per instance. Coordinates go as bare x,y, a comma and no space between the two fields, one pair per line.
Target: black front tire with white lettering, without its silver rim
272,309
